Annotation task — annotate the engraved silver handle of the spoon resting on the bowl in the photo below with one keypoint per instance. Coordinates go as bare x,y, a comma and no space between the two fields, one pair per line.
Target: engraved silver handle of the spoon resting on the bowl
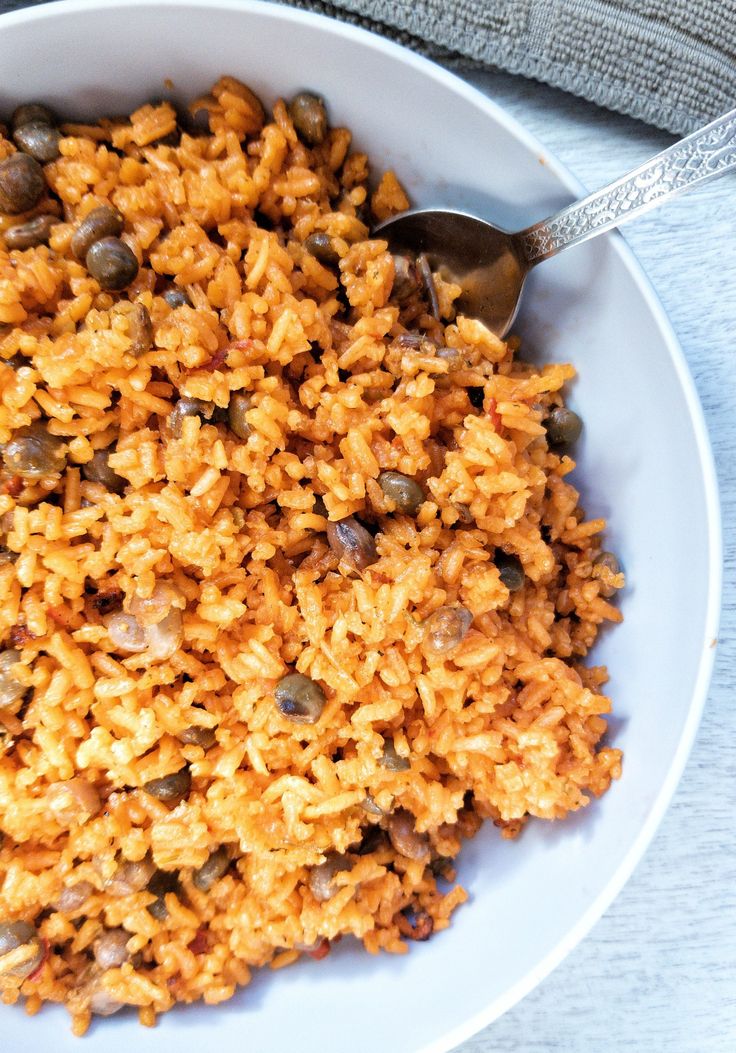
695,160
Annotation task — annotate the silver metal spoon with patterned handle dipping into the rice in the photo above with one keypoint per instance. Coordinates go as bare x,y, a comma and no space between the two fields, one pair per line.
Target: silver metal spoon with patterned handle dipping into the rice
491,265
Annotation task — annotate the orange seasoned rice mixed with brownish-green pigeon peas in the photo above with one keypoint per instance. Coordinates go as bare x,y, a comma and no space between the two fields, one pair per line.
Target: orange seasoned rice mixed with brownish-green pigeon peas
295,591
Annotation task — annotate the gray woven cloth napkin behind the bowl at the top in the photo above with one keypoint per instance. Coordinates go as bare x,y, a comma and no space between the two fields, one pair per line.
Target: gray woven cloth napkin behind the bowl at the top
669,63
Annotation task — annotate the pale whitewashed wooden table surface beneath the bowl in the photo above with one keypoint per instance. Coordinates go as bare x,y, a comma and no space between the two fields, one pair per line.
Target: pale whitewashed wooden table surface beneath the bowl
659,972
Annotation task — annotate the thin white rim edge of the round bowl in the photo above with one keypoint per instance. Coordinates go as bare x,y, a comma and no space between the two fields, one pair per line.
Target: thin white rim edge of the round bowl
449,1040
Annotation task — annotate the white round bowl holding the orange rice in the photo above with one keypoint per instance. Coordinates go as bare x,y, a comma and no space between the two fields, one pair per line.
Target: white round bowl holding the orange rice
645,465
